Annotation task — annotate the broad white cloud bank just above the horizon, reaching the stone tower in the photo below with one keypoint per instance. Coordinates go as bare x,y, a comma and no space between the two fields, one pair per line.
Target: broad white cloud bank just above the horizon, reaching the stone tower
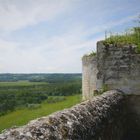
58,54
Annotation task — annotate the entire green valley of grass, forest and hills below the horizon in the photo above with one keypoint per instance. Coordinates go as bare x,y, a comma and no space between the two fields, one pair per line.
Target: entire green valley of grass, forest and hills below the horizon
28,98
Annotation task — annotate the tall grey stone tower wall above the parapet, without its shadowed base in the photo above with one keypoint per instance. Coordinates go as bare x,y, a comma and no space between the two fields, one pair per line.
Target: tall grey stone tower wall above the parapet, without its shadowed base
116,67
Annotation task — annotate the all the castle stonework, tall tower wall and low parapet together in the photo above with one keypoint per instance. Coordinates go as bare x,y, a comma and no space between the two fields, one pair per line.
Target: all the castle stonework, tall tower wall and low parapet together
114,115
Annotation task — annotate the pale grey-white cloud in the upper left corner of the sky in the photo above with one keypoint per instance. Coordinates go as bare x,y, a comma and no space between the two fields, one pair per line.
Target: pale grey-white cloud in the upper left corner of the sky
17,14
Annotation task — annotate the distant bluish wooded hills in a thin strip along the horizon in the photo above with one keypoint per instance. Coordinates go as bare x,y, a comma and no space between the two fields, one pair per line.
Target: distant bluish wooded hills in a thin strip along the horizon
50,78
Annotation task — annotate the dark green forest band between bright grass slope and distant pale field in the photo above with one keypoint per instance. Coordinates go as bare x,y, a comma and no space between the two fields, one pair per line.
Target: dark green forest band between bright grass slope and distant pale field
12,97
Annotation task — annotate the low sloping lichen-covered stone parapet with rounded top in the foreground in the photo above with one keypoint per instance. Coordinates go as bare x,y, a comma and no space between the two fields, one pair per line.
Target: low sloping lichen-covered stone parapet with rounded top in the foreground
102,118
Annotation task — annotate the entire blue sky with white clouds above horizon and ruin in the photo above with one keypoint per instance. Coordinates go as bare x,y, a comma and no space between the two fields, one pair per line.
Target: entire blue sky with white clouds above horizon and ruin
51,36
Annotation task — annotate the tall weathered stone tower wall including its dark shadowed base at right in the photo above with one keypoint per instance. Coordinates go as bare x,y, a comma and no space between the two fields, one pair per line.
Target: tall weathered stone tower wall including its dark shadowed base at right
116,67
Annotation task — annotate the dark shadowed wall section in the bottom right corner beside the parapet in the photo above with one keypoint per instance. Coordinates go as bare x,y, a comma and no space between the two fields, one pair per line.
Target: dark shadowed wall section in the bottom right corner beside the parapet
133,117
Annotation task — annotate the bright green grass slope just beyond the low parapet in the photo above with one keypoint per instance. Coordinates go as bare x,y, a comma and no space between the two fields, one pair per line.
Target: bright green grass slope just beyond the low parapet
23,116
